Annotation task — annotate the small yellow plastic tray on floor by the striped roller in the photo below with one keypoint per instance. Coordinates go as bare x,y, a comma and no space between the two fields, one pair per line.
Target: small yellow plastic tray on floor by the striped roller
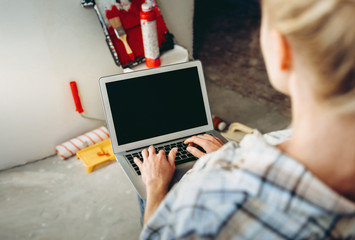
96,154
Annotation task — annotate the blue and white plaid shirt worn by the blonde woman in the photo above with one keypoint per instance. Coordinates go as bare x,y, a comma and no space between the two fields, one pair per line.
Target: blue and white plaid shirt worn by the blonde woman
251,192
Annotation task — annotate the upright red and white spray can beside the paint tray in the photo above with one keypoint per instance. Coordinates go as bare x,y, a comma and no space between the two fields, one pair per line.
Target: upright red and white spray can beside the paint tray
150,36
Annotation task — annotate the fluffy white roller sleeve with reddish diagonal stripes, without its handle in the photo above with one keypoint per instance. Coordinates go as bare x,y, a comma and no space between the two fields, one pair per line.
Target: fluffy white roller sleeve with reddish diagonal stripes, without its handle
69,148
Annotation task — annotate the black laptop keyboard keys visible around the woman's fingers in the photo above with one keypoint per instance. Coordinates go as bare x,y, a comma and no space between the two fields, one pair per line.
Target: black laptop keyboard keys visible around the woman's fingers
182,155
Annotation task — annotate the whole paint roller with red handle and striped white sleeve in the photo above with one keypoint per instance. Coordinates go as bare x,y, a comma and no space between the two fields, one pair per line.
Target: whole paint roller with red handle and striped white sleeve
69,148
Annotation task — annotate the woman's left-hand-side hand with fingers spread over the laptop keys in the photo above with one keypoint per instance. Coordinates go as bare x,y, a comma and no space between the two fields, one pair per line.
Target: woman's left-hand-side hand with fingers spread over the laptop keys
157,170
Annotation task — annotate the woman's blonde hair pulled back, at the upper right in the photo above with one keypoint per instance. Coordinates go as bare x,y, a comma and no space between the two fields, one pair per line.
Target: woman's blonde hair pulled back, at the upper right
323,33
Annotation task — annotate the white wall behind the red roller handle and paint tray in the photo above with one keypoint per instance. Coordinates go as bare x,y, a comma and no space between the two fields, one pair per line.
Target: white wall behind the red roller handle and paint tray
44,44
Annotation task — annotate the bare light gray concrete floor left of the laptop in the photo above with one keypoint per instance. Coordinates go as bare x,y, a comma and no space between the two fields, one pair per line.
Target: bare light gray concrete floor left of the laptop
56,199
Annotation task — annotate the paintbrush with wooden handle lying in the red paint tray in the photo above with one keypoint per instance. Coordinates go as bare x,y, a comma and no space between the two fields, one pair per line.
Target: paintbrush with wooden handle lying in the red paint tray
116,24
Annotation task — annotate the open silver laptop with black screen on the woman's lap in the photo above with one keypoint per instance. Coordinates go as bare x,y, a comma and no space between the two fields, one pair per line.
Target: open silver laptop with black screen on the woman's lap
160,106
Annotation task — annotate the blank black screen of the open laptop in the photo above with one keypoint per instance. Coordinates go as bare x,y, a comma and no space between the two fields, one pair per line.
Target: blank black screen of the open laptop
155,105
